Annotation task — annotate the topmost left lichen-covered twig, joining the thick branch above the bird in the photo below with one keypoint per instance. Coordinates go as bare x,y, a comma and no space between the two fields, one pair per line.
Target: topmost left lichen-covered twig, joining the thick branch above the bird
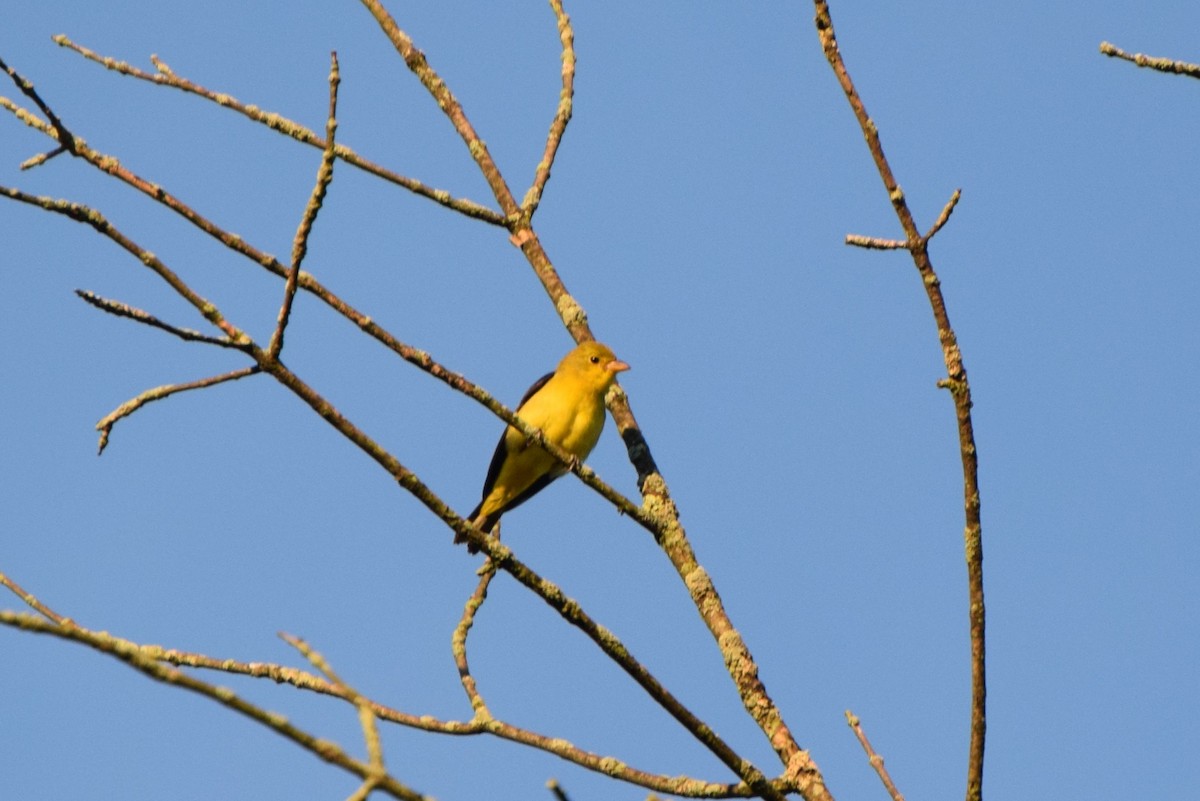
289,128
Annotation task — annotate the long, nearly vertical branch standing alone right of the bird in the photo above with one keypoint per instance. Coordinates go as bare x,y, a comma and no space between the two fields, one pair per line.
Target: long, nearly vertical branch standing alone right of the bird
957,384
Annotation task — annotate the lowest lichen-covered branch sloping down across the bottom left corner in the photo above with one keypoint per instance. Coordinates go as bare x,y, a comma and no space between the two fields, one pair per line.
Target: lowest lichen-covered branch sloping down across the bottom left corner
131,655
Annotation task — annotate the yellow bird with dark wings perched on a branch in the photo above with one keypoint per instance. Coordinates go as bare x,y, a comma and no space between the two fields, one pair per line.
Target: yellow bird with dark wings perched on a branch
568,407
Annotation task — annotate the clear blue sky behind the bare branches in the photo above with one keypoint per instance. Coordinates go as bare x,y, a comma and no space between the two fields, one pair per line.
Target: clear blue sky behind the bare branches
784,381
